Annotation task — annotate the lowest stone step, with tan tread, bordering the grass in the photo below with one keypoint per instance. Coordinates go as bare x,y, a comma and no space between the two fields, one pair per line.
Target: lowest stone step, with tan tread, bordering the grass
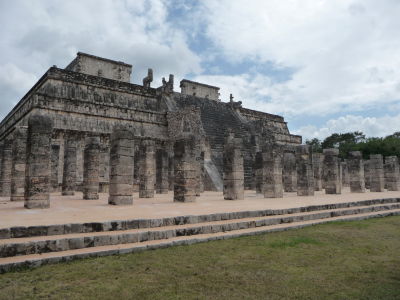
35,260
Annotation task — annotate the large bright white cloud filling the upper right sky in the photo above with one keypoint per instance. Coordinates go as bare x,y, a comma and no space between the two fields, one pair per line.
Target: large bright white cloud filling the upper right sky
344,53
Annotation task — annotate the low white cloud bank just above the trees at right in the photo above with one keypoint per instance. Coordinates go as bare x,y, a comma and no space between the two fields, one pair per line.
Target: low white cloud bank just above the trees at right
370,126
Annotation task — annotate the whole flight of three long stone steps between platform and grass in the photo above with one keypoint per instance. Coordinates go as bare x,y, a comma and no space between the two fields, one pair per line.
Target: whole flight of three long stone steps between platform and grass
38,245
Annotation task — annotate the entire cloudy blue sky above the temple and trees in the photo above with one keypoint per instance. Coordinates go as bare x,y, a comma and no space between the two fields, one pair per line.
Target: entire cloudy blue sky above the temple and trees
326,66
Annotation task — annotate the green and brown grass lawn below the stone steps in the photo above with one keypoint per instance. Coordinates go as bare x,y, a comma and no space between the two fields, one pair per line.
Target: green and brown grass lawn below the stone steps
343,260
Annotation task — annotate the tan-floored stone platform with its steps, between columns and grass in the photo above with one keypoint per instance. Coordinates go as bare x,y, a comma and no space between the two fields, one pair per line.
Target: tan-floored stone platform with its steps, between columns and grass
73,228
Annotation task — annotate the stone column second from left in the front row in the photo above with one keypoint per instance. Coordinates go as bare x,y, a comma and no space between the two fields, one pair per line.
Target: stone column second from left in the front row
121,166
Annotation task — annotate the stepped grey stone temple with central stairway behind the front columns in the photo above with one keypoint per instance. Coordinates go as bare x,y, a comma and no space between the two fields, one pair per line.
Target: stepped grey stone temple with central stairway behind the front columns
93,95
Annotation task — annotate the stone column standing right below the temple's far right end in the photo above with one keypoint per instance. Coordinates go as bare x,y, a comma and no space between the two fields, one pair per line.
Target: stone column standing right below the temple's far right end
305,176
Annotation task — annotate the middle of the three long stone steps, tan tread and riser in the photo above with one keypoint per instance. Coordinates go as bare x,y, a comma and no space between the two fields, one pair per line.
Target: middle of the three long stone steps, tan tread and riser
45,244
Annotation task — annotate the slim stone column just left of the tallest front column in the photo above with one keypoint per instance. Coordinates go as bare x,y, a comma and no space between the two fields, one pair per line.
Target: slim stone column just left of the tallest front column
18,164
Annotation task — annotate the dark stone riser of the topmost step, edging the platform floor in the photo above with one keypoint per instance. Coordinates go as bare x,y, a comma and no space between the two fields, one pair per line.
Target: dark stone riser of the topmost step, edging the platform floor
119,225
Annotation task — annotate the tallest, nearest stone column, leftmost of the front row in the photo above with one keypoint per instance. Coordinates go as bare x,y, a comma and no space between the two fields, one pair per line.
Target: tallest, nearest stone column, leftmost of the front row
38,162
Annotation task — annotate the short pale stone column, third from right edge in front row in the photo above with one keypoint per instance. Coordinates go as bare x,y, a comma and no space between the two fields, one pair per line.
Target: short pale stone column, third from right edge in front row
356,172
